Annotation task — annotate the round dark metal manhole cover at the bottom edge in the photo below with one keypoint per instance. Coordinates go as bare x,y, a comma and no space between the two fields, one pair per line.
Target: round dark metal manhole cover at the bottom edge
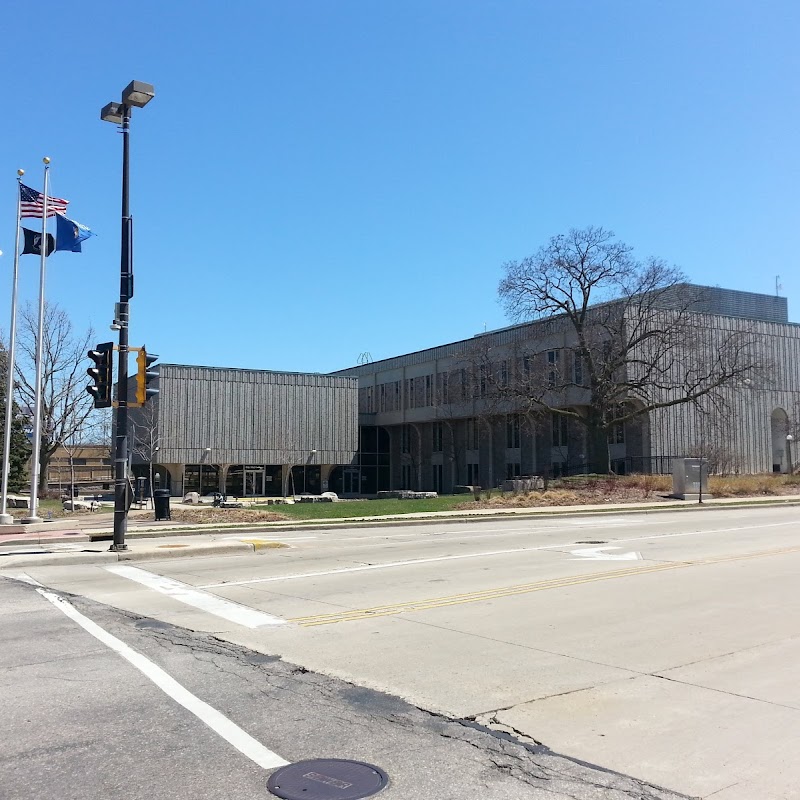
327,779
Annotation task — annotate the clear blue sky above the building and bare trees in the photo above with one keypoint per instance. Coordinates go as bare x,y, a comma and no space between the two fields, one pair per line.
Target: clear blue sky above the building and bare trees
315,180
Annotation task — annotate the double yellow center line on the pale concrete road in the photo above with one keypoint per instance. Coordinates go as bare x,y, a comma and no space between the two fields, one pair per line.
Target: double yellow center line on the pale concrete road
525,588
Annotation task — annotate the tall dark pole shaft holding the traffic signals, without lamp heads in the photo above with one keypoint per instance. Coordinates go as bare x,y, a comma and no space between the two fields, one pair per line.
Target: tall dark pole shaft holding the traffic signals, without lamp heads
126,267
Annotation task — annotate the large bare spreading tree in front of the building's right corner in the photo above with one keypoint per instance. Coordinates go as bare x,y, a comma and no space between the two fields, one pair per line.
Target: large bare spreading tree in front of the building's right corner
634,341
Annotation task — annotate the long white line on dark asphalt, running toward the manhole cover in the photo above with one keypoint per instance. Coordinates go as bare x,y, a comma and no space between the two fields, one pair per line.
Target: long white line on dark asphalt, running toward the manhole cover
218,723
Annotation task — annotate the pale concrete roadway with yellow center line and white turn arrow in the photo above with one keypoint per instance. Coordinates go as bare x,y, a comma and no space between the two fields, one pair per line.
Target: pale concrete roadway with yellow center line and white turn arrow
662,646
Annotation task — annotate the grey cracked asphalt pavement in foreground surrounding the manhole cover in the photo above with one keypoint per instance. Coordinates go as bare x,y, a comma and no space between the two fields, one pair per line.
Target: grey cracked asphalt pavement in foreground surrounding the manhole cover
99,704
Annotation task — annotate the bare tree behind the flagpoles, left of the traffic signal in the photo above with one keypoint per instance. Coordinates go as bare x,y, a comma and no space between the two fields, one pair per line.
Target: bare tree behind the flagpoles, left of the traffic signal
65,404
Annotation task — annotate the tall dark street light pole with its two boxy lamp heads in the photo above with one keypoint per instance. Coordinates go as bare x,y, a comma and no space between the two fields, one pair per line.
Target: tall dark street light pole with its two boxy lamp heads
136,94
